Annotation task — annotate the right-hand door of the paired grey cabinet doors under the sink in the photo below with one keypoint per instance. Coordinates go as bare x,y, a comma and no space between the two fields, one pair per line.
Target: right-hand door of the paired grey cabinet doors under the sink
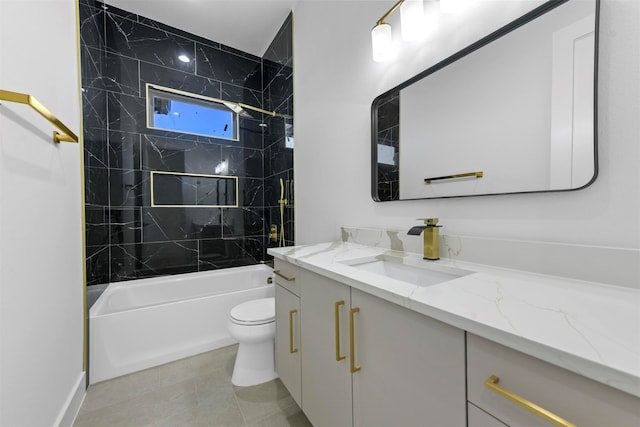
412,367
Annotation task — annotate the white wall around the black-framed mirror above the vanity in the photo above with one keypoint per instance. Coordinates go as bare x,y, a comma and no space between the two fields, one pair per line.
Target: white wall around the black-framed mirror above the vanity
336,81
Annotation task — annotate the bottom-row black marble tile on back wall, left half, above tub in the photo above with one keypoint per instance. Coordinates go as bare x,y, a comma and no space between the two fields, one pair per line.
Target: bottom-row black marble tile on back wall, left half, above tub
153,259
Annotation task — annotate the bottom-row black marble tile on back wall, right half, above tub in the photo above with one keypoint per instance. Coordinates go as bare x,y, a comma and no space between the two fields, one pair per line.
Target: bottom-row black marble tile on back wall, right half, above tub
232,252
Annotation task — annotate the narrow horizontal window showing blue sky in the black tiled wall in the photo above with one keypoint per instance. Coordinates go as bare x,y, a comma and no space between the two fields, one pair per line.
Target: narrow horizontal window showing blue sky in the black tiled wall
177,111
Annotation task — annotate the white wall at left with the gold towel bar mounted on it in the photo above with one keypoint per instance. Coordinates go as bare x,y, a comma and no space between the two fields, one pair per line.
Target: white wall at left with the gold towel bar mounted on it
41,285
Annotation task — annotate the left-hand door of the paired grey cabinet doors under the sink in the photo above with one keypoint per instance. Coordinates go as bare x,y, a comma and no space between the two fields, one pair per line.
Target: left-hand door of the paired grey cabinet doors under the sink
326,382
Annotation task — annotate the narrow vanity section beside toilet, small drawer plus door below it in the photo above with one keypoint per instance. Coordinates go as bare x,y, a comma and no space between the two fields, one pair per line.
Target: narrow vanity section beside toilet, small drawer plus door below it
287,341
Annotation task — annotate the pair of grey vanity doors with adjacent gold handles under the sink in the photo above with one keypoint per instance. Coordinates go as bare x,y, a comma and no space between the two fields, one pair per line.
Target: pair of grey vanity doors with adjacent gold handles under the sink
367,361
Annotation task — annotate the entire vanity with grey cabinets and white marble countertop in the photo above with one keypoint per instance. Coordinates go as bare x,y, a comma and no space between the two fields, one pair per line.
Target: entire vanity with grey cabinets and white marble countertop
363,340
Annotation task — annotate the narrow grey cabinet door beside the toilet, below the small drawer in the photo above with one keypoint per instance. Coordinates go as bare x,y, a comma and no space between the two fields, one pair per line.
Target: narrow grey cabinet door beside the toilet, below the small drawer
288,342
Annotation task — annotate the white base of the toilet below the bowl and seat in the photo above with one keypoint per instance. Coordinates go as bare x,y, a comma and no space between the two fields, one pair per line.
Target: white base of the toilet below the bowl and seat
255,364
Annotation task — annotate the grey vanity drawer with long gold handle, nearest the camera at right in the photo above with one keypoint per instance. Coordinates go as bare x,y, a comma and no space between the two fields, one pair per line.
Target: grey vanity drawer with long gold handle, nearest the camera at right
574,398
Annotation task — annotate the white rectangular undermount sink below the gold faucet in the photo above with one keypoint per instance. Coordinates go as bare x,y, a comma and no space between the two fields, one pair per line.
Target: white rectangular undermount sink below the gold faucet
395,268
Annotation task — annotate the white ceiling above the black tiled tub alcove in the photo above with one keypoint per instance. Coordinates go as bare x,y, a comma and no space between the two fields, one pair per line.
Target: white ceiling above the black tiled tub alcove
247,25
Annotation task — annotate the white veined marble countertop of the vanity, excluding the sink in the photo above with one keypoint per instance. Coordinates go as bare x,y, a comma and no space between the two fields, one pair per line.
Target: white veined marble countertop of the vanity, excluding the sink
592,329
